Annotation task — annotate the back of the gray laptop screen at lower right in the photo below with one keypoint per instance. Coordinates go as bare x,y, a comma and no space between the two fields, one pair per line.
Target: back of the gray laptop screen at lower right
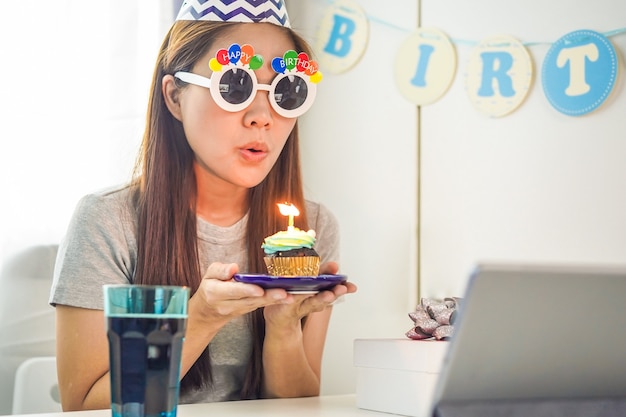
538,332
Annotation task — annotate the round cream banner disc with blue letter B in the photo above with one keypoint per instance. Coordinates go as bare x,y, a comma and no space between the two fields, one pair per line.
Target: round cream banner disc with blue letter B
342,36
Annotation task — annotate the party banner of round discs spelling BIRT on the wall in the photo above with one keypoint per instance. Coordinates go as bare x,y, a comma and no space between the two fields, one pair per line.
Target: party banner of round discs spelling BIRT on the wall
578,73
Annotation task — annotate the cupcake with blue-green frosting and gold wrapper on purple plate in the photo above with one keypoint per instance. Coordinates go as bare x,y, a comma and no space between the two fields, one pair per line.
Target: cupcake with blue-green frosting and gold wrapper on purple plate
290,253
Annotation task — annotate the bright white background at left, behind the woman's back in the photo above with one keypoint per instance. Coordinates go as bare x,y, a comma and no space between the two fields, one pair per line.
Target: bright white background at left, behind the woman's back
74,86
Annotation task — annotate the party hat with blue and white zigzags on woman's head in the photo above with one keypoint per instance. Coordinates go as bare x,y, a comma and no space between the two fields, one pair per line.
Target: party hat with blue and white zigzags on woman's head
272,11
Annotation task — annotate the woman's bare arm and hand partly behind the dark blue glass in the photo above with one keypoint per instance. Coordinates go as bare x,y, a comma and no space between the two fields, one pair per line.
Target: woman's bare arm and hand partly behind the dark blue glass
82,344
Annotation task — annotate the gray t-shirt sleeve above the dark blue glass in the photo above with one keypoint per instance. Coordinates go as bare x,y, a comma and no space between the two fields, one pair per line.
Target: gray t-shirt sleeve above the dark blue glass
99,248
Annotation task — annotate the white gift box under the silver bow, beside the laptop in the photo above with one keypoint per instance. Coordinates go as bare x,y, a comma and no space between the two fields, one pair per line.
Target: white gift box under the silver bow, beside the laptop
397,376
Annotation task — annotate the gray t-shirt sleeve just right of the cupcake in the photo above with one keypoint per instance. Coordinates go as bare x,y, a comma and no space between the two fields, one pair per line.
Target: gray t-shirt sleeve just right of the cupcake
326,227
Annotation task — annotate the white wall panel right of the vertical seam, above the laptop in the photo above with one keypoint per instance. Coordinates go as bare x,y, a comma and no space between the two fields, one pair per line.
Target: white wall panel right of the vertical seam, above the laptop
536,185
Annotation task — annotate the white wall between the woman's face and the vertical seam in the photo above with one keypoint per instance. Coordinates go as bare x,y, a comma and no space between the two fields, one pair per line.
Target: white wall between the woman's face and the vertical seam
360,155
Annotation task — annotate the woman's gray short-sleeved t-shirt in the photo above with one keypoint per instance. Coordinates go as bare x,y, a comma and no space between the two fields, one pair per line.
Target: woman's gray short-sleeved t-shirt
100,248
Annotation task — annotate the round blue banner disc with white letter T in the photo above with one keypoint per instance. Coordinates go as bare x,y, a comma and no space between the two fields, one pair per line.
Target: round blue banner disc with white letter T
579,72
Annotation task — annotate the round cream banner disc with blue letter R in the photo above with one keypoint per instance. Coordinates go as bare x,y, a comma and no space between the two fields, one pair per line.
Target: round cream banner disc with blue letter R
499,75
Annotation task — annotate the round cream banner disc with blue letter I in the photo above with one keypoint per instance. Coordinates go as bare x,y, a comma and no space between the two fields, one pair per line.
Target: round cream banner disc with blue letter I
425,66
